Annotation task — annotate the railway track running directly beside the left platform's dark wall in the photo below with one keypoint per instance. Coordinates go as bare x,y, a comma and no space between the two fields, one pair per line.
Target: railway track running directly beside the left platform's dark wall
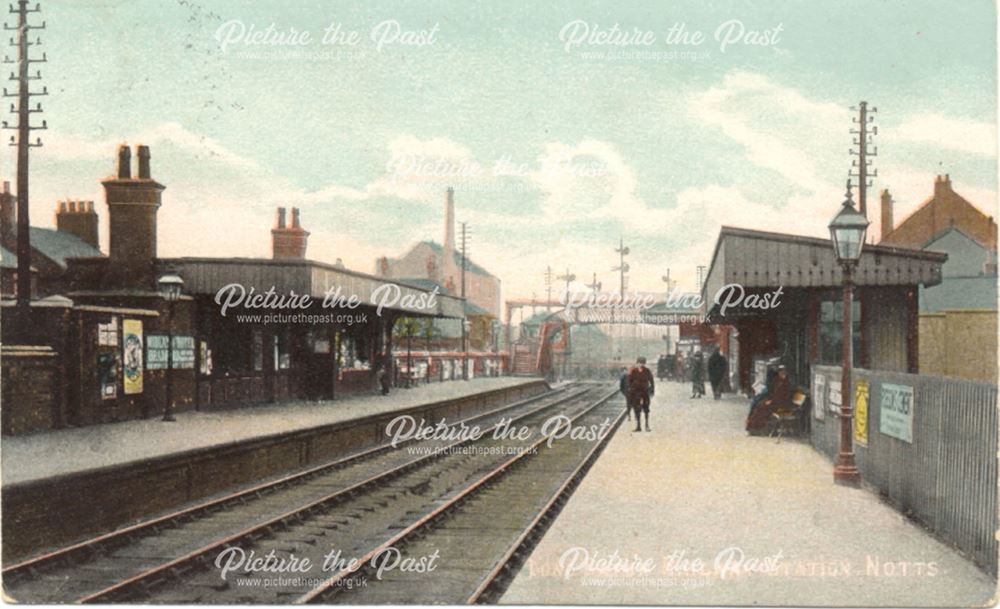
125,562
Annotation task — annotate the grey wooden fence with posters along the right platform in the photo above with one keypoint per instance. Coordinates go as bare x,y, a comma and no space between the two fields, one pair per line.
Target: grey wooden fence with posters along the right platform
927,443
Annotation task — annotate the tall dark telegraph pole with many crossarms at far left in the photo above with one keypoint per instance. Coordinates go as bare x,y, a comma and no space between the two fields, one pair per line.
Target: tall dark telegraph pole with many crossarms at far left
23,144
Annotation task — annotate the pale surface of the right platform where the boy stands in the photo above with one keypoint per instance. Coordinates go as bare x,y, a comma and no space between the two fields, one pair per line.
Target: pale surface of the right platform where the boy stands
764,519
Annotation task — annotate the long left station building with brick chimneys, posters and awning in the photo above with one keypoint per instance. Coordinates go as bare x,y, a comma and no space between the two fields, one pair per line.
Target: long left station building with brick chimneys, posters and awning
101,334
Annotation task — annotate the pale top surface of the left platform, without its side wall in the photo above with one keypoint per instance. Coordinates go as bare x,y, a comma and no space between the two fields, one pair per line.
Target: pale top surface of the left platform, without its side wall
62,451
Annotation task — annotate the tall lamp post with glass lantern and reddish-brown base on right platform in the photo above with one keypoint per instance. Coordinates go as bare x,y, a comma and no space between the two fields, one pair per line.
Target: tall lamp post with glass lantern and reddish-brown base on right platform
847,232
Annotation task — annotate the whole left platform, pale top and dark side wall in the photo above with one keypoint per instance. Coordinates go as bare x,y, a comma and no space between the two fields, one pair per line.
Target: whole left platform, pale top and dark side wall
67,485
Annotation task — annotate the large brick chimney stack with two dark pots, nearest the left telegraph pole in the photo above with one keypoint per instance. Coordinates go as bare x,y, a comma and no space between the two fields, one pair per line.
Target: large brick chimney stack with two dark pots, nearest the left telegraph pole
132,207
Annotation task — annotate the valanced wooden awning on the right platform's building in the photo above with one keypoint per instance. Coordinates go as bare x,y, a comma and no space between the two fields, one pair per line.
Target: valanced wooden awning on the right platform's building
758,259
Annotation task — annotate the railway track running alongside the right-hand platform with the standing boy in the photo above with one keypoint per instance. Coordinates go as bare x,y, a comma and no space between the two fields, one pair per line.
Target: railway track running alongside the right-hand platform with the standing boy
478,548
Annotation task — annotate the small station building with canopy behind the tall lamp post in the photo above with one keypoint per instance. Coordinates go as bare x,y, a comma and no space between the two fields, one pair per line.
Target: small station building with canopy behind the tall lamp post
805,327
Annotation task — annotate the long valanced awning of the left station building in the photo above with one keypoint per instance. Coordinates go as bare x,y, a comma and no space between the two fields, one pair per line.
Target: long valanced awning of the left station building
207,276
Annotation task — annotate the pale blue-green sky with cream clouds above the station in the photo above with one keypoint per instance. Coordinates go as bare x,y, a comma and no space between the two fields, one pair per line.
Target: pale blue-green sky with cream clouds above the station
563,126
